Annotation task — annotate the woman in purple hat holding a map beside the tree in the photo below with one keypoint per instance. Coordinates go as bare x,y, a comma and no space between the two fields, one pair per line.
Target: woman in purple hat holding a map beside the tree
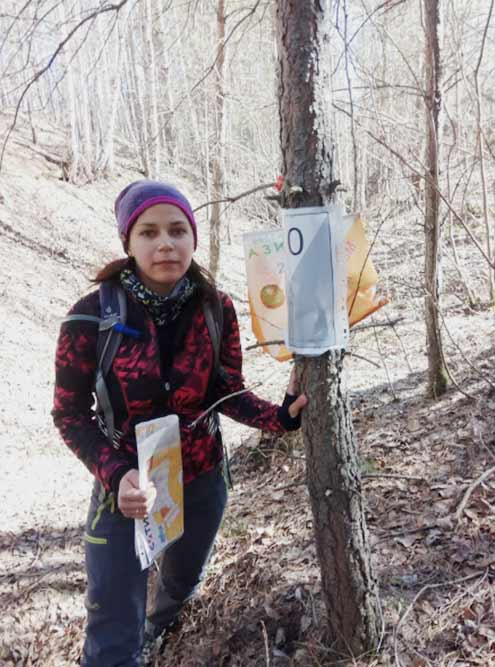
165,370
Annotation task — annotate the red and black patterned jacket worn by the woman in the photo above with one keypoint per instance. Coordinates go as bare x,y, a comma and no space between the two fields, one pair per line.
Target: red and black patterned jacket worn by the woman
143,385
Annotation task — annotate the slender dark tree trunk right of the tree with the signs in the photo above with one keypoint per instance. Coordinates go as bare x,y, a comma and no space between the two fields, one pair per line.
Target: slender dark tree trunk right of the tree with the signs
437,377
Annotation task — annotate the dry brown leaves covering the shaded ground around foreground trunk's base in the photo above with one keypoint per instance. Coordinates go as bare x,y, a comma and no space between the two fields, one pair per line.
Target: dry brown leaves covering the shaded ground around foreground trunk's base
262,603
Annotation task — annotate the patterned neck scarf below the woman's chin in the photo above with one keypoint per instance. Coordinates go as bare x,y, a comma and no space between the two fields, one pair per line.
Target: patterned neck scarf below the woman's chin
162,309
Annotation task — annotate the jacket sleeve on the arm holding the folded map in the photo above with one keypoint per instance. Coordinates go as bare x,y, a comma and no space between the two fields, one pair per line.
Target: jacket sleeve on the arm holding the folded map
73,414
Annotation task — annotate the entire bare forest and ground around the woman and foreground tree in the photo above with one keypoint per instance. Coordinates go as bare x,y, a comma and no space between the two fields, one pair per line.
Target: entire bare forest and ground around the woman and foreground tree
94,94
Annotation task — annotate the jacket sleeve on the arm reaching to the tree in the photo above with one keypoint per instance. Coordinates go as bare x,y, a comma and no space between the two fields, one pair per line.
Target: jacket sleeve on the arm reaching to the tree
246,408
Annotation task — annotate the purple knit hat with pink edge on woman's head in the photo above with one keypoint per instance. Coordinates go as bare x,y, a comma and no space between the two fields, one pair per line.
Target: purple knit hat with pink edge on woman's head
140,195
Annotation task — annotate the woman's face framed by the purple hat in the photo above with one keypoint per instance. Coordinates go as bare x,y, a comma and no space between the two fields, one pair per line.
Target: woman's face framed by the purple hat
162,244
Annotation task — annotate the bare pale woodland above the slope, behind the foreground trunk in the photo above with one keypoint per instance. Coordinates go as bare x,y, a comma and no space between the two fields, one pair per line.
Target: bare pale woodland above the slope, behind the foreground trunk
189,88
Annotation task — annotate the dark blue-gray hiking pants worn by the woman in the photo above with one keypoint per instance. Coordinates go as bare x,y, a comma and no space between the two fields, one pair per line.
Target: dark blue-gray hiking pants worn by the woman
116,595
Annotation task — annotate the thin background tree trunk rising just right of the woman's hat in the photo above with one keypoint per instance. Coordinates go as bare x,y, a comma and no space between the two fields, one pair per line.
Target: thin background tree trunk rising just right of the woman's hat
217,149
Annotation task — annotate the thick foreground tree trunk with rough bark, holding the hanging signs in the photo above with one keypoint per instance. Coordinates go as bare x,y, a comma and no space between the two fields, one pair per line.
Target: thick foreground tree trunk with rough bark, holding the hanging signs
349,587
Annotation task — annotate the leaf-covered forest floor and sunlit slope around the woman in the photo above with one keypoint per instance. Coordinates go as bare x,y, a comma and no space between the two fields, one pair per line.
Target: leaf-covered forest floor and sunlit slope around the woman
430,495
